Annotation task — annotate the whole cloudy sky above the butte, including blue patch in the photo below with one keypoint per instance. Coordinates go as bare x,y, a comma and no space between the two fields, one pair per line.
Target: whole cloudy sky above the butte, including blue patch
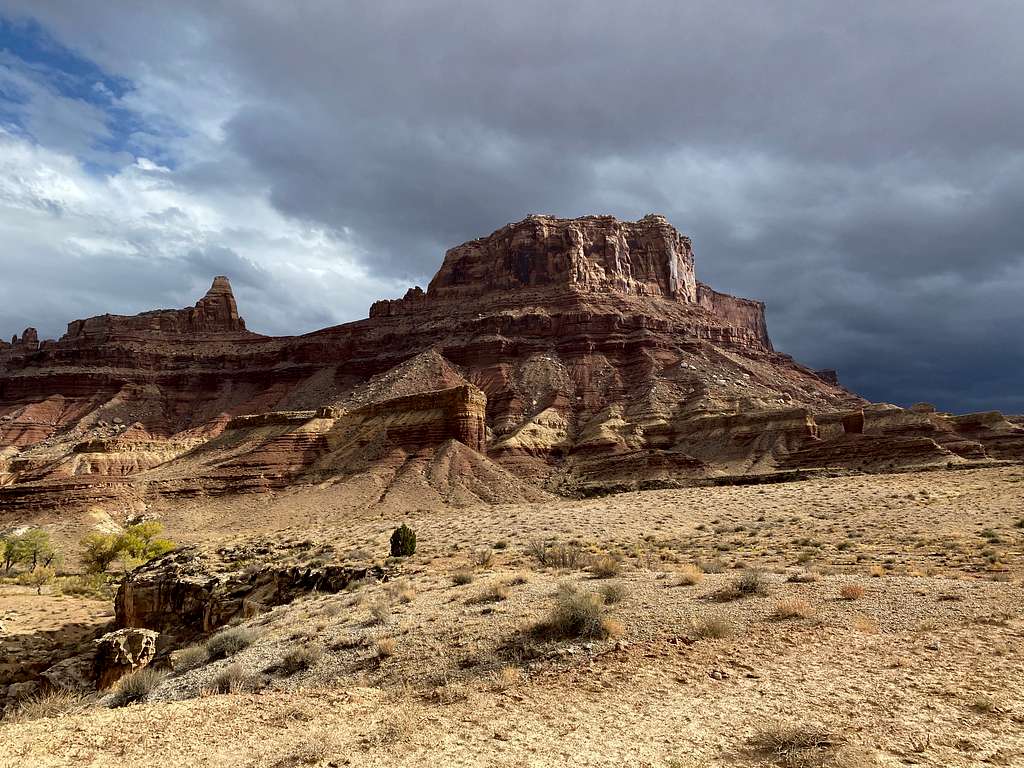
859,167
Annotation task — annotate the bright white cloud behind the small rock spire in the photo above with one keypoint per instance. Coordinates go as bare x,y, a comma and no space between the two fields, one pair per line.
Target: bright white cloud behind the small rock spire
79,244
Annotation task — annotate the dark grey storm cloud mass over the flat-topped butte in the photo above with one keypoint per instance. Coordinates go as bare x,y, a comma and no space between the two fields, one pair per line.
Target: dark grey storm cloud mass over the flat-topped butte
859,167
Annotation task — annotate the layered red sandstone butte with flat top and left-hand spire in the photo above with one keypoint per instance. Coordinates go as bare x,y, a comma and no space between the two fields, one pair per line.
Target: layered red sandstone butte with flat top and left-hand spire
565,356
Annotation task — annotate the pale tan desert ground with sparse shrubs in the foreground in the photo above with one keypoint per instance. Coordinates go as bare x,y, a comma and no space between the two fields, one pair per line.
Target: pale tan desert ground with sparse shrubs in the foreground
904,647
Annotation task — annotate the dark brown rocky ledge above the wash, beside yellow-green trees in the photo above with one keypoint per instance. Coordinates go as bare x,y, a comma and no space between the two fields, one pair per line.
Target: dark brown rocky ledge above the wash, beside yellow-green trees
190,591
